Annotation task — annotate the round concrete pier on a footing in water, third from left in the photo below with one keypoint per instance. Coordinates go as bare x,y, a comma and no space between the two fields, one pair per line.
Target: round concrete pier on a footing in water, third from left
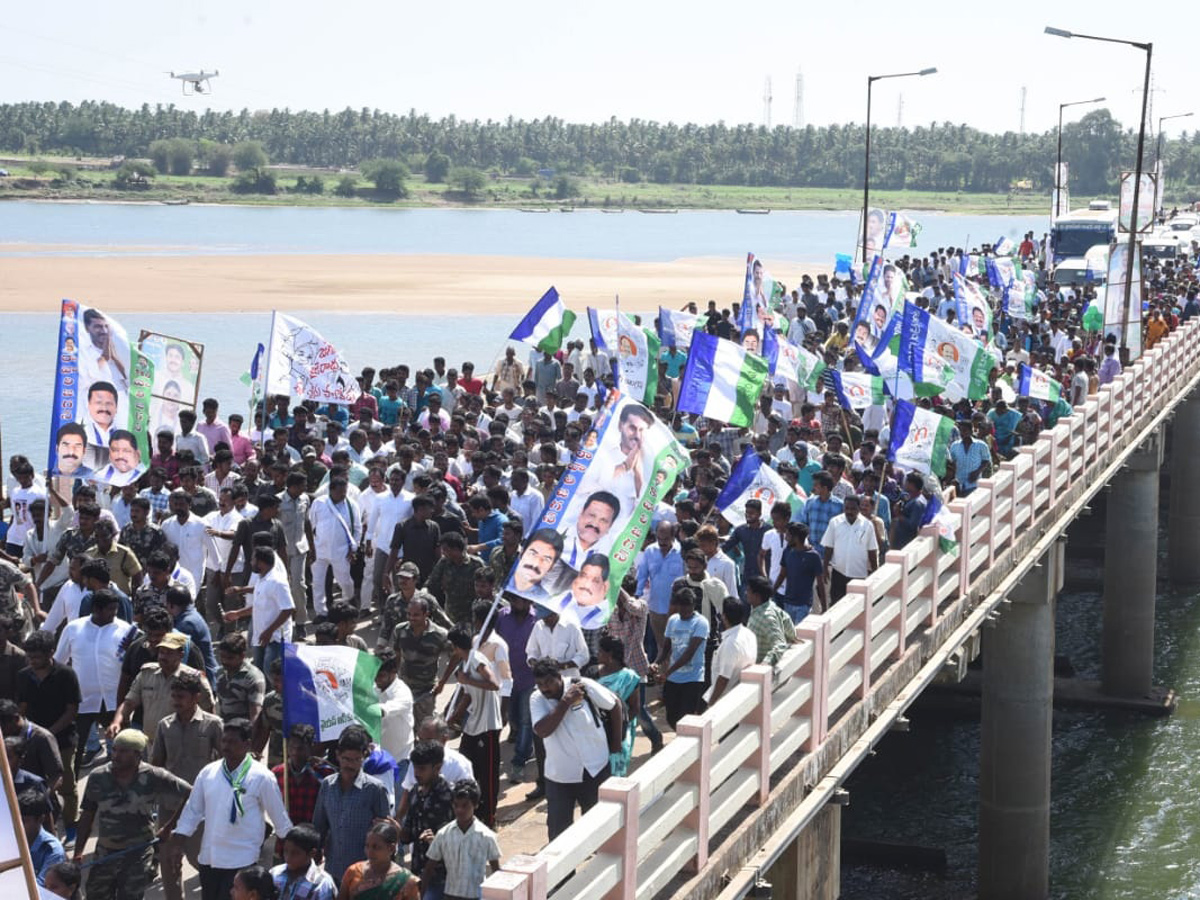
1131,574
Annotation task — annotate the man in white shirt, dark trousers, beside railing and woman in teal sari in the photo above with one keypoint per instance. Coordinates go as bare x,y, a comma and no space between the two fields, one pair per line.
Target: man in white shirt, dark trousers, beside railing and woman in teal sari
578,741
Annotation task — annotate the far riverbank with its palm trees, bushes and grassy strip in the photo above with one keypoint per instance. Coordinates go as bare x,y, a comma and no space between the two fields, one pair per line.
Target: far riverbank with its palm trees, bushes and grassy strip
103,152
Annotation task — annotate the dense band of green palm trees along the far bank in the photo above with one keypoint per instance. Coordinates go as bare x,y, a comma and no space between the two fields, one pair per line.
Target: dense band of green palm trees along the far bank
938,157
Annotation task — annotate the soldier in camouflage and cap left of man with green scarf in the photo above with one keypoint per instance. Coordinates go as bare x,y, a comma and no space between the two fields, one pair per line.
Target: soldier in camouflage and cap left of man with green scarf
121,801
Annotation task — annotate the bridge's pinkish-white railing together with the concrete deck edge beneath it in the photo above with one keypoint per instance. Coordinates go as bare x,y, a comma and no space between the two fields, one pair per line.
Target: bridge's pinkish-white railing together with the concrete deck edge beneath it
741,782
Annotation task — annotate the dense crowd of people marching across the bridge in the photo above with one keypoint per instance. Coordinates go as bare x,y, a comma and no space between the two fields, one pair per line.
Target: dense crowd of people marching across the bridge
142,628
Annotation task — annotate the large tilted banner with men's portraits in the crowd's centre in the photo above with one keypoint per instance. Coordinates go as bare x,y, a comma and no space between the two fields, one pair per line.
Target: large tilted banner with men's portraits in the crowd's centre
598,518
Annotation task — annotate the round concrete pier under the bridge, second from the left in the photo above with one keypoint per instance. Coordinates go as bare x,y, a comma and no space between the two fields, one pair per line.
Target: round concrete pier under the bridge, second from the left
1015,759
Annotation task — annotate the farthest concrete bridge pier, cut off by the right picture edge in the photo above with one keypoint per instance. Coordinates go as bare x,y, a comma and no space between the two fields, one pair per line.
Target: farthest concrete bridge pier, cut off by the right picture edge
1184,521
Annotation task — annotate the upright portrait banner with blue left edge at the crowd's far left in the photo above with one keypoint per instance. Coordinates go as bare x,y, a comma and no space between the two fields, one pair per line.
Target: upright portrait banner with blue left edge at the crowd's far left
101,412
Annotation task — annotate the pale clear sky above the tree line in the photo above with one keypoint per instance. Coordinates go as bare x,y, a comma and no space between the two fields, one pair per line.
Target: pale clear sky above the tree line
669,62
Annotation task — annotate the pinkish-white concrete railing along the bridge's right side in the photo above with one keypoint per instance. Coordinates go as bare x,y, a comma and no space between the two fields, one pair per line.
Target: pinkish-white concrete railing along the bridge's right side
667,817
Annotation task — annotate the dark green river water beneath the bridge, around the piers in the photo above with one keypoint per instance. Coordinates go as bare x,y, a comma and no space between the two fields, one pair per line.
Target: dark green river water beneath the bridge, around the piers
1125,823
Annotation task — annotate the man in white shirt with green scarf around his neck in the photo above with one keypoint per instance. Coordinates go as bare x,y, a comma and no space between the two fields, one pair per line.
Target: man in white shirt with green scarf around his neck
231,797
